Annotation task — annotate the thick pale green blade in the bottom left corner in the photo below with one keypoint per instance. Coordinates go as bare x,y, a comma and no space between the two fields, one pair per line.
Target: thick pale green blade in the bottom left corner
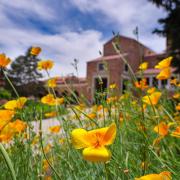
8,162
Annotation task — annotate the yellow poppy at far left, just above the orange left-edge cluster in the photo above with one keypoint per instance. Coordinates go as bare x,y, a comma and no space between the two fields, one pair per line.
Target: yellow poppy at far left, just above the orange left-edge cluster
16,104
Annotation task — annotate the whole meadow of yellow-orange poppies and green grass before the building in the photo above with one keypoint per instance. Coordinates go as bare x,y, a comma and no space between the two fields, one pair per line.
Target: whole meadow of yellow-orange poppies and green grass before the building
134,135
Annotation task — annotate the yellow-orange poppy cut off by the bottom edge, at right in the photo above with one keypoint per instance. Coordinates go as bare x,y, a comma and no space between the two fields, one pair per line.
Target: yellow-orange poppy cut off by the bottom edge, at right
165,175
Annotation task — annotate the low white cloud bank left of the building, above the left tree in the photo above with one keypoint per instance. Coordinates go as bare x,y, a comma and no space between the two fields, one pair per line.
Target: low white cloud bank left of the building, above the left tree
62,48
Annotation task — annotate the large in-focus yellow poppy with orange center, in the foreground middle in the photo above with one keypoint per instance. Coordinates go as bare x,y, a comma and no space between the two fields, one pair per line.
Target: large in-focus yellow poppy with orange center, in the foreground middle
93,142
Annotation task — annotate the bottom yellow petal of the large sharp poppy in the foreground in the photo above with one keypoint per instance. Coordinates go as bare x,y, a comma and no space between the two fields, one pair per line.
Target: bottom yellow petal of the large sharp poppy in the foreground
100,154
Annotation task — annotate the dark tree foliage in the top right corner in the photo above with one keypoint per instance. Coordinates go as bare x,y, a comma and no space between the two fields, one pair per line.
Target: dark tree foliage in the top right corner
170,27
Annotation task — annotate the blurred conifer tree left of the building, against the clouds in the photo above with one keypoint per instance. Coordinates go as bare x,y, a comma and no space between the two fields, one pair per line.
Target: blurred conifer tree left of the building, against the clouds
23,69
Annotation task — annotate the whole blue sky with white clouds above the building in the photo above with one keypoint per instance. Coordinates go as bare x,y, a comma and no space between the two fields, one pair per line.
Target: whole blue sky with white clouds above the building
69,29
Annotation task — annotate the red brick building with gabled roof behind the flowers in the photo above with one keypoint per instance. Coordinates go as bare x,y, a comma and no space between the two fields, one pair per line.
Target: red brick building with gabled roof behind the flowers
111,68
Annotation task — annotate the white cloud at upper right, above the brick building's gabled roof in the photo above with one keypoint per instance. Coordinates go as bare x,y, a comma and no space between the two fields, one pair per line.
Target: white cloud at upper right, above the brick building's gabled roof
127,15
